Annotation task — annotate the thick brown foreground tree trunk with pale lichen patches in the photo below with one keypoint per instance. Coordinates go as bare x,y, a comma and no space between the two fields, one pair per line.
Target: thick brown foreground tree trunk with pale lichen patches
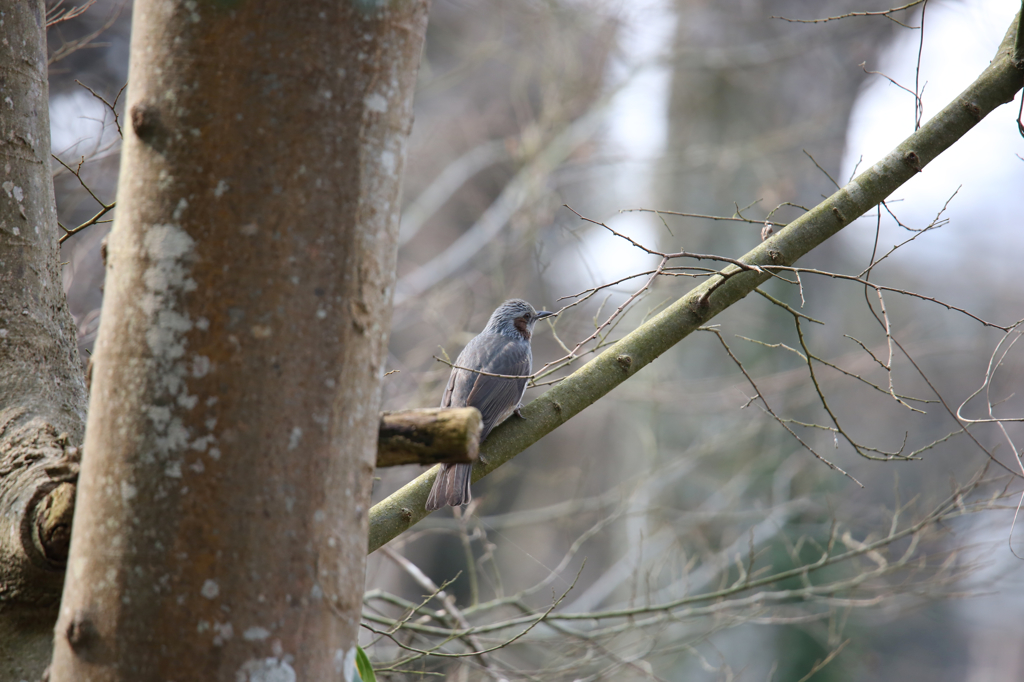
221,532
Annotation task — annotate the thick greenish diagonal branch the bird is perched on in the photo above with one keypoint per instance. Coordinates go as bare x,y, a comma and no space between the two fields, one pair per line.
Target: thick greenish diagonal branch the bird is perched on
997,86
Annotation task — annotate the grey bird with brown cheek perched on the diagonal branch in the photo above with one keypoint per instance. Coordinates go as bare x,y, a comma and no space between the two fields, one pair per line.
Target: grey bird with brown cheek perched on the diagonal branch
503,348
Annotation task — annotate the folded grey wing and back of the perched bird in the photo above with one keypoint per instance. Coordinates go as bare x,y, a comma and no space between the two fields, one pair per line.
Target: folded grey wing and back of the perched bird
496,398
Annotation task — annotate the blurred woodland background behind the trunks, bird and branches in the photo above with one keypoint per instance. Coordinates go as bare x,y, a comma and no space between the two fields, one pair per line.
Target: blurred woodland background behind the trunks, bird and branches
677,484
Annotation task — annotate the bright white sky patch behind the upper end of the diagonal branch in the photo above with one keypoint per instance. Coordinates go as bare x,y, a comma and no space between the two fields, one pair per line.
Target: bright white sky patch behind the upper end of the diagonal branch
986,215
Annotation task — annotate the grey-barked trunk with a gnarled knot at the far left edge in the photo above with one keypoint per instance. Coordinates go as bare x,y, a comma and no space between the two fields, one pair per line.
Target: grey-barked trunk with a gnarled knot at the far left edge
42,392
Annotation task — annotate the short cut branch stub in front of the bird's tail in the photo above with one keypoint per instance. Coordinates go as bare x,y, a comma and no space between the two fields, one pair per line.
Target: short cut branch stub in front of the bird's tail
430,437
